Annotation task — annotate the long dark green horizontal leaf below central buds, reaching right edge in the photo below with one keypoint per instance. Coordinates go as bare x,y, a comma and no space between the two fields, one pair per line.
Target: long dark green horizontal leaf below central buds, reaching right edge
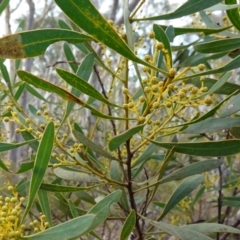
212,149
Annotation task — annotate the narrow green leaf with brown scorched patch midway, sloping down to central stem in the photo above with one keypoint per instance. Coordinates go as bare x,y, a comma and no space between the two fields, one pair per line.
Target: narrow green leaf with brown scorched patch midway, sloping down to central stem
47,86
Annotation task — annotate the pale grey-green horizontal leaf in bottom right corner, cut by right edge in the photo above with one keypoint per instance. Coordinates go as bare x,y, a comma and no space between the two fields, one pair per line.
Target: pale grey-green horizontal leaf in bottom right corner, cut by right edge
211,227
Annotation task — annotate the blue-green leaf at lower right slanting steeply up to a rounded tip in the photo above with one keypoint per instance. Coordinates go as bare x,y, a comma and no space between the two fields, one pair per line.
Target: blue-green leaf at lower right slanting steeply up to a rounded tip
183,190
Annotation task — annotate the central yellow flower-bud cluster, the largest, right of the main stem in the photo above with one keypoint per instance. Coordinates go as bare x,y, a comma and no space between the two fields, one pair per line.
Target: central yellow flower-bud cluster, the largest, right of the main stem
164,98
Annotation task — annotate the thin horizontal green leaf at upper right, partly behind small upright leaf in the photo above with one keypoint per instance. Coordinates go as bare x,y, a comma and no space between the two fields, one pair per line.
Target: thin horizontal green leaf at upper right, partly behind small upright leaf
206,31
